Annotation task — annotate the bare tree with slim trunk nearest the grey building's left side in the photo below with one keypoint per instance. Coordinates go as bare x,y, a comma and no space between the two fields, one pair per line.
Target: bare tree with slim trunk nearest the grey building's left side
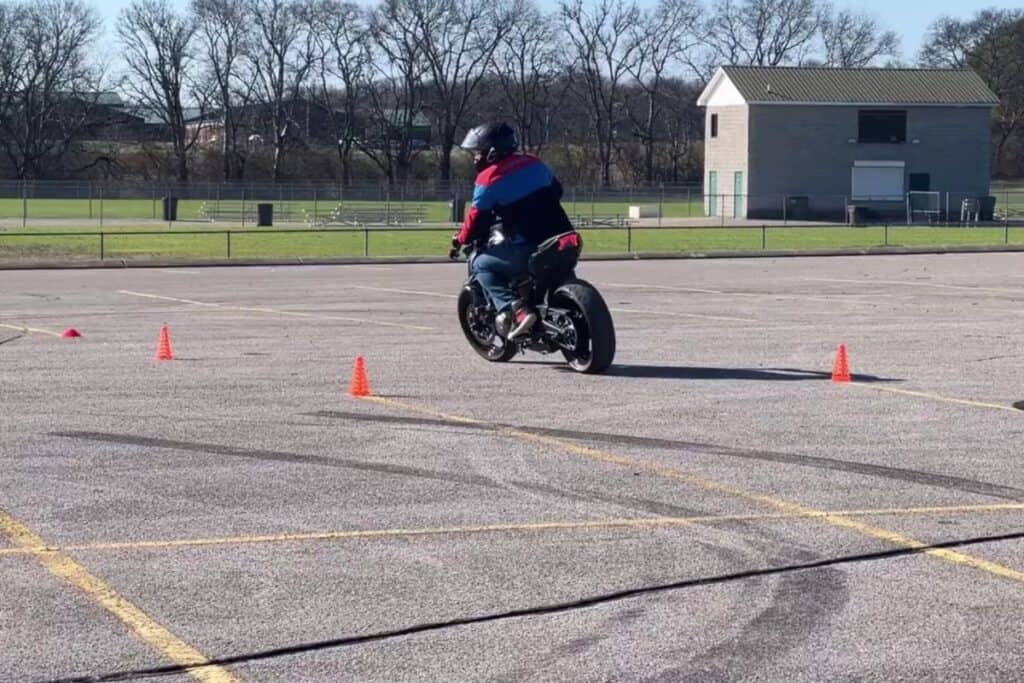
663,36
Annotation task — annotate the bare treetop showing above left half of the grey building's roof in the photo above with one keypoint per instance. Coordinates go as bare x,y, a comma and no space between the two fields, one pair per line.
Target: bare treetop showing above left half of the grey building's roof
764,33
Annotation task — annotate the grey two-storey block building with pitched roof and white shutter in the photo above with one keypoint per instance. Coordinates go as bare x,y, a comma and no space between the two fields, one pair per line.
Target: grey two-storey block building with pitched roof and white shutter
809,143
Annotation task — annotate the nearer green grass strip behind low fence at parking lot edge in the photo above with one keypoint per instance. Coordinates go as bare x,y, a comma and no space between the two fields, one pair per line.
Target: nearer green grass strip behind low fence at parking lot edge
215,244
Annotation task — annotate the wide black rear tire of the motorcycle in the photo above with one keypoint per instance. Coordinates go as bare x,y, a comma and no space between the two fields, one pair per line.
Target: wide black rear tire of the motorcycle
596,332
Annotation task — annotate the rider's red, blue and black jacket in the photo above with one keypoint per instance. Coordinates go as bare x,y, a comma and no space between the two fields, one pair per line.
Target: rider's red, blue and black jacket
522,192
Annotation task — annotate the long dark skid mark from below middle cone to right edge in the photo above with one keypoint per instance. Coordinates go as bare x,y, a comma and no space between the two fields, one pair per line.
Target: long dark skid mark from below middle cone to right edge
914,477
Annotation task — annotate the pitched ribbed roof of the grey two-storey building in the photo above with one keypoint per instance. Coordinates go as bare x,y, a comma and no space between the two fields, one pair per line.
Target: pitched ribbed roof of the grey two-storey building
823,86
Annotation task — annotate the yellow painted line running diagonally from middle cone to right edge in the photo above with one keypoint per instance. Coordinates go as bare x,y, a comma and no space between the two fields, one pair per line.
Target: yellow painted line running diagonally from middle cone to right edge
797,509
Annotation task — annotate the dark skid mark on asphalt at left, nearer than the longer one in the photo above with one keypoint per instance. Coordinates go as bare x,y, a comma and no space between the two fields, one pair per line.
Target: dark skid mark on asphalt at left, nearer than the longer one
277,456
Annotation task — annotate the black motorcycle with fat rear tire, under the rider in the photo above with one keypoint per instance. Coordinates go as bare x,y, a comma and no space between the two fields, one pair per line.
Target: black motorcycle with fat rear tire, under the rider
573,318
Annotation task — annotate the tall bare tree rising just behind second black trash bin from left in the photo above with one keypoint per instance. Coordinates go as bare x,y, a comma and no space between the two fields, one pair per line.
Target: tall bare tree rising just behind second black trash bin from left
281,59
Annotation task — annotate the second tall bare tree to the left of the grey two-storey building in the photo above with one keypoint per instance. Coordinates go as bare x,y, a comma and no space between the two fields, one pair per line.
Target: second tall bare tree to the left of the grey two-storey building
603,56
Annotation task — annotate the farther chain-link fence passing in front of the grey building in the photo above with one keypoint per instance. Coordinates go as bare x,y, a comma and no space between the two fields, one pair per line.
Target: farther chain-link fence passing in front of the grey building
42,205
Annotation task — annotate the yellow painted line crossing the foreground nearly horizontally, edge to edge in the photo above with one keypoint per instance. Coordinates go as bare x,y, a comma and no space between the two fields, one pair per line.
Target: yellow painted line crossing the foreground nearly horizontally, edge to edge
633,523
